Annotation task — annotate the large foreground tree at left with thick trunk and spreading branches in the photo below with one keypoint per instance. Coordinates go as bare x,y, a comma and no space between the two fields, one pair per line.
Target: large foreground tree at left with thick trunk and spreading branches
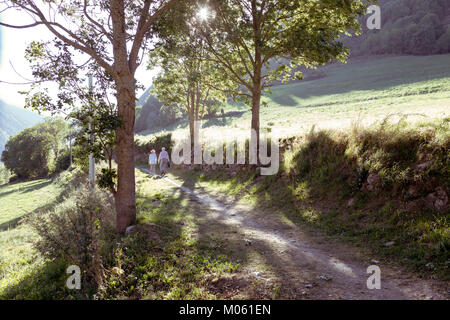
115,35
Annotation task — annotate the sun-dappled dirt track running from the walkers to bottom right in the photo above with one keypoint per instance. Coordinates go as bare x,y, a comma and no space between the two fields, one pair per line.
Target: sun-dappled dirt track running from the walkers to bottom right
292,261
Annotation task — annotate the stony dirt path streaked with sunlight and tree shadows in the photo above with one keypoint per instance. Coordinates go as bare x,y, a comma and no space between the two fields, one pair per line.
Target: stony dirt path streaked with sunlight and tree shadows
300,264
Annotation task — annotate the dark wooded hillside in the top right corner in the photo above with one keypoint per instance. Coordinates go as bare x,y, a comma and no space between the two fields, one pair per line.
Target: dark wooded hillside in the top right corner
415,27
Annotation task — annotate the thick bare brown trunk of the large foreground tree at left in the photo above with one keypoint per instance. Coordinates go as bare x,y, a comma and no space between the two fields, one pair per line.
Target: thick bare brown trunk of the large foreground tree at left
125,196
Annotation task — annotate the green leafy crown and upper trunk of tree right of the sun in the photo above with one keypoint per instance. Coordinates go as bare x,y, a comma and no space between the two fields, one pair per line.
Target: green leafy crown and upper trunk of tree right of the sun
246,37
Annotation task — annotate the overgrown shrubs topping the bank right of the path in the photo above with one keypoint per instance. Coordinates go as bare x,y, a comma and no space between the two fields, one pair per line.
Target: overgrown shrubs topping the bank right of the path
389,150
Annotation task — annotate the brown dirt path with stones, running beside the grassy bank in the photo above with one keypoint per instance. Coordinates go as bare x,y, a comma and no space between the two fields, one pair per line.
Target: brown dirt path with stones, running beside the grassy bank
310,267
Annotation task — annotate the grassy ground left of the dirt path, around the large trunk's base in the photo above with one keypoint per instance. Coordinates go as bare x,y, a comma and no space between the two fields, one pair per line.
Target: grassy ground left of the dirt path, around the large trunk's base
182,262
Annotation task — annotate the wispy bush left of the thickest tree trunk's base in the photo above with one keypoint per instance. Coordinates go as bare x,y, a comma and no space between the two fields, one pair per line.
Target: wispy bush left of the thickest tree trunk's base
77,232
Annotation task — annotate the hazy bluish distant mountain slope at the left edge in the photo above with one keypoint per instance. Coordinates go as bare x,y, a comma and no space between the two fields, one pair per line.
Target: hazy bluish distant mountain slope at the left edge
13,120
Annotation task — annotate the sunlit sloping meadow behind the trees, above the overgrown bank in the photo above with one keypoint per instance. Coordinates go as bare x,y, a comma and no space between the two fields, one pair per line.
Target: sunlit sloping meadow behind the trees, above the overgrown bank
362,91
